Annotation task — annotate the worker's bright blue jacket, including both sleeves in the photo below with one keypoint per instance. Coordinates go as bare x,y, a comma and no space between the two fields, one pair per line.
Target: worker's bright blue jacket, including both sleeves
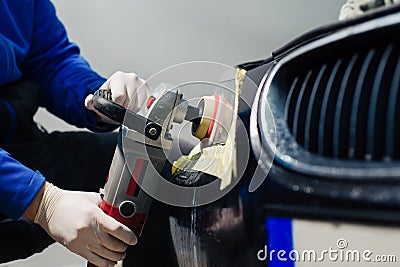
34,45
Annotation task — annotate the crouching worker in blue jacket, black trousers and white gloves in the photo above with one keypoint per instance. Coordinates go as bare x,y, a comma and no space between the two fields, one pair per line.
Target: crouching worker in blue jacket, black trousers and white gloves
40,67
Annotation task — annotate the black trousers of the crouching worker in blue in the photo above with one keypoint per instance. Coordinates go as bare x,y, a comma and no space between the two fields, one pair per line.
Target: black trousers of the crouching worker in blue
72,160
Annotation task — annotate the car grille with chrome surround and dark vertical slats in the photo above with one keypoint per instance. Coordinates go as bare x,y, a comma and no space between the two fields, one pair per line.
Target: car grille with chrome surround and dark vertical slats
335,104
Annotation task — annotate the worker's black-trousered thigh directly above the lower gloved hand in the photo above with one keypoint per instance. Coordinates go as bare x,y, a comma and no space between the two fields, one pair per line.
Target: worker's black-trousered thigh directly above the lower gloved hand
69,160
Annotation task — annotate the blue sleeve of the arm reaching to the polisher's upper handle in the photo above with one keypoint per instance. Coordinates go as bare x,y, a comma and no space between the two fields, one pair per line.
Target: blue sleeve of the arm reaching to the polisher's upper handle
56,64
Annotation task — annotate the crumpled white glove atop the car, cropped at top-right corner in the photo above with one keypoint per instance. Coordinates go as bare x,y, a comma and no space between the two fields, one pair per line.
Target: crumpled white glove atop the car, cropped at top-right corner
355,8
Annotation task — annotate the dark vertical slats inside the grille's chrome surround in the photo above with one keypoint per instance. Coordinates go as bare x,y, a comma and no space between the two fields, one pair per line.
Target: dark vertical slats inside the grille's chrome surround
348,107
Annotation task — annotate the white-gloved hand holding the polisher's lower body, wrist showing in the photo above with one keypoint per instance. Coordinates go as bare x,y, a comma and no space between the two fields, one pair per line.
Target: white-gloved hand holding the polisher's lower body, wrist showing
75,220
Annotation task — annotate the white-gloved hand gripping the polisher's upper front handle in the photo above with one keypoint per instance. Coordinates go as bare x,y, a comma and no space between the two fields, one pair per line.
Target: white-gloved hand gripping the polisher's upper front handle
127,90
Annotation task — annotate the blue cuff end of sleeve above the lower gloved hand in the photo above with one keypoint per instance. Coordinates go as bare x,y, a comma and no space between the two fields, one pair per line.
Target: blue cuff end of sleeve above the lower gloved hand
18,186
